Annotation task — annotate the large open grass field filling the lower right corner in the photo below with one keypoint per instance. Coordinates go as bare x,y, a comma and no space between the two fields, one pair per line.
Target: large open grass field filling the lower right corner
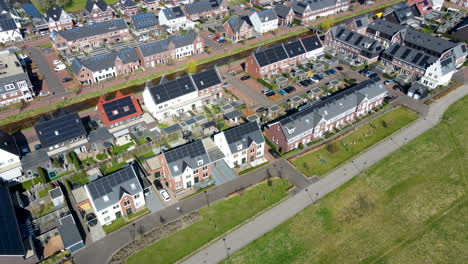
410,207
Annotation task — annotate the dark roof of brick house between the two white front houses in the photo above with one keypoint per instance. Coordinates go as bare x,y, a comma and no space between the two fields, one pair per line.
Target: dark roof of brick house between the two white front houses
186,156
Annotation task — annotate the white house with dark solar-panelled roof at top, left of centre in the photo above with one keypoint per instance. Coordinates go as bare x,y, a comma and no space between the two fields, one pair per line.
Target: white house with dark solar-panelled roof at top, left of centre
175,19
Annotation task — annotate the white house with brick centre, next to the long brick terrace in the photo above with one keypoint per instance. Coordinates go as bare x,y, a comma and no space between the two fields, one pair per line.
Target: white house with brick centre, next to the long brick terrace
243,144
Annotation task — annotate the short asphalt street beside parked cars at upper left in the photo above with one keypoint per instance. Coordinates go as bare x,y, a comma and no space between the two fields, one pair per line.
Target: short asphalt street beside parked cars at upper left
54,84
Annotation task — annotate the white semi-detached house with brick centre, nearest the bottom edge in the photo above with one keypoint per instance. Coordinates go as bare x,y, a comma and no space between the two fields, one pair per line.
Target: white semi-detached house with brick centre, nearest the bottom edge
117,194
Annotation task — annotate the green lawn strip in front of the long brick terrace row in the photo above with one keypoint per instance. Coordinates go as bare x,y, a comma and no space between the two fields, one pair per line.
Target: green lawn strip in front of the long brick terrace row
322,160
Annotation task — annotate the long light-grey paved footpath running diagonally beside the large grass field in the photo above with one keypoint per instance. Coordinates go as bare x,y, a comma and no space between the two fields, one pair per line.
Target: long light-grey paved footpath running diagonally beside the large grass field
241,237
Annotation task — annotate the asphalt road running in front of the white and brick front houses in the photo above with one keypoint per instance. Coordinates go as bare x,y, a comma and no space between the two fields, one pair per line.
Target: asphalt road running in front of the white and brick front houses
100,251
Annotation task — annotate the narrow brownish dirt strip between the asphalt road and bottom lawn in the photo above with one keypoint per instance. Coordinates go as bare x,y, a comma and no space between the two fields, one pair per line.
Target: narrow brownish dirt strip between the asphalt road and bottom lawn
156,234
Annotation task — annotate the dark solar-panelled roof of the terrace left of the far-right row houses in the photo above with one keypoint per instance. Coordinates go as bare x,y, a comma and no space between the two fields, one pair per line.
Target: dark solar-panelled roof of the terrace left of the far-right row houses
368,47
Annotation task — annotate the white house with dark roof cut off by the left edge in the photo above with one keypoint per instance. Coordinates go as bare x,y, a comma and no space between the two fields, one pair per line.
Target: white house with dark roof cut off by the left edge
10,165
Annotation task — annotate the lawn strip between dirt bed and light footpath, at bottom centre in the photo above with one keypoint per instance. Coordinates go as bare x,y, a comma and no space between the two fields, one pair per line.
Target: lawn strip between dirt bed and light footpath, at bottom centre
217,219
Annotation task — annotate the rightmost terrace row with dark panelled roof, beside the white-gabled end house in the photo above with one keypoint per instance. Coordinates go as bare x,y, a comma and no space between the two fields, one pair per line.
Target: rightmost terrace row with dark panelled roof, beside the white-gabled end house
411,61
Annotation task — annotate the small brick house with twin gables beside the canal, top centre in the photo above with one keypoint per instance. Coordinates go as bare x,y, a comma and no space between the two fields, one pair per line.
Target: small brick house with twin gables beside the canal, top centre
238,28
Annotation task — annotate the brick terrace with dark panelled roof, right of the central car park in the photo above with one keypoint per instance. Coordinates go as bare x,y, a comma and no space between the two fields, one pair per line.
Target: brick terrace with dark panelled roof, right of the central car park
359,46
